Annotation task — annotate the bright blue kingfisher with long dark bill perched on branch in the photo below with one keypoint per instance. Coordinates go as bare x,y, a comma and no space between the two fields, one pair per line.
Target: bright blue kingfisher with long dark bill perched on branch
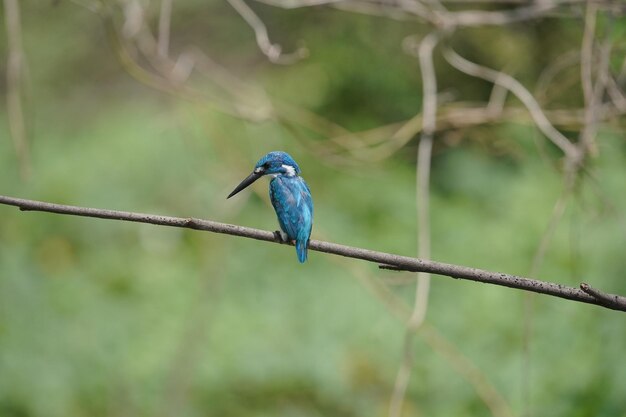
290,196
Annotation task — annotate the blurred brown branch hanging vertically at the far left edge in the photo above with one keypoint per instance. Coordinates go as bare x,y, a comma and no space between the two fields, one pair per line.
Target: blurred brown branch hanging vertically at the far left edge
15,68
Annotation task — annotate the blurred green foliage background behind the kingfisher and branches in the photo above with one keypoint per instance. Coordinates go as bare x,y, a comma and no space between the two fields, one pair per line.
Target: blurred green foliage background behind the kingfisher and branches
109,318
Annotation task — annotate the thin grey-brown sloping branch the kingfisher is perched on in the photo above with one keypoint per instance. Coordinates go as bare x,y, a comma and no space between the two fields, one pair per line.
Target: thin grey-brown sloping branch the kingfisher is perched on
405,263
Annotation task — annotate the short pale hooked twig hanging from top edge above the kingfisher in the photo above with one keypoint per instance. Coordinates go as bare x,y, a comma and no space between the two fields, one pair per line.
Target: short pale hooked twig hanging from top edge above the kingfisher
273,51
